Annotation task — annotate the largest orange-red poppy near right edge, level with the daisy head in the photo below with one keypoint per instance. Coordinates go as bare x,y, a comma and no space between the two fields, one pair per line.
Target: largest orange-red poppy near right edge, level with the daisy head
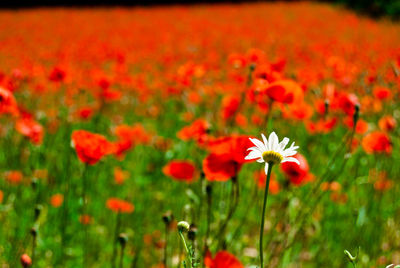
377,142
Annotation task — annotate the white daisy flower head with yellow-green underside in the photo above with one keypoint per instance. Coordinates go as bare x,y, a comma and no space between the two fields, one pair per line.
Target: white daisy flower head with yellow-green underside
272,151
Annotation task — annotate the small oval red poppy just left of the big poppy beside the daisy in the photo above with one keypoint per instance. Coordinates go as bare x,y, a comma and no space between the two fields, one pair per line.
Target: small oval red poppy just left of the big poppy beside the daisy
180,170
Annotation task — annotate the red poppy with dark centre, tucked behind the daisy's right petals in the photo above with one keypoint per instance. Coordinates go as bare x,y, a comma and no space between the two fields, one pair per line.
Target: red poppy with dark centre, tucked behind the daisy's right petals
296,173
